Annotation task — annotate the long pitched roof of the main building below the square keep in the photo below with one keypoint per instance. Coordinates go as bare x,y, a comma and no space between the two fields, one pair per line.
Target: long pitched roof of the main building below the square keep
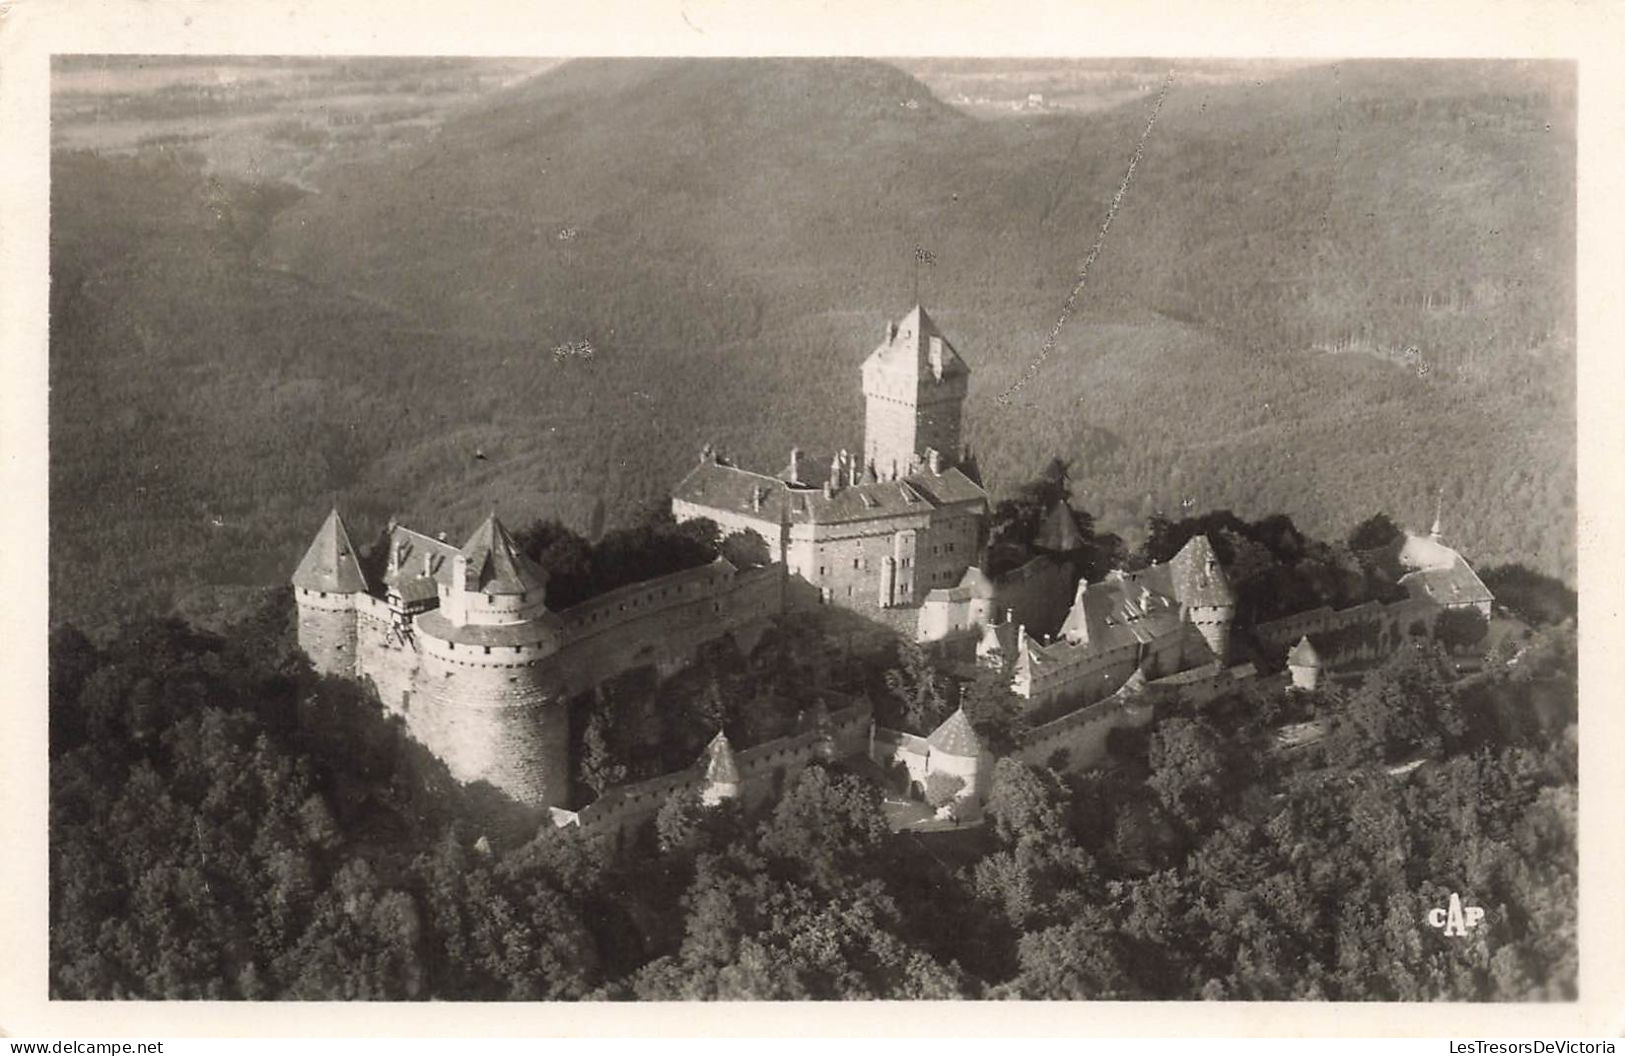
769,500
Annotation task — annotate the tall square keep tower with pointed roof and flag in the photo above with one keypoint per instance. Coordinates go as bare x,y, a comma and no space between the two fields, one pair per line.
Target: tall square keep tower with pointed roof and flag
914,391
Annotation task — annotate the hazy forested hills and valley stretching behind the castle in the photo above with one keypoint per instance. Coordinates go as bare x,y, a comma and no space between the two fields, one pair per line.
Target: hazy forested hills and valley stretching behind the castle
1338,290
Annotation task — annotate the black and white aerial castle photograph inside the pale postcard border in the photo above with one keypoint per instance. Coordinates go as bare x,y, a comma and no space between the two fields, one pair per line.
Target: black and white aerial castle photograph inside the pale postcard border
774,529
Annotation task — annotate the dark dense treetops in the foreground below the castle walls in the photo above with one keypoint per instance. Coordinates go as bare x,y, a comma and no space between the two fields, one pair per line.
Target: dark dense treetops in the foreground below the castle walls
228,824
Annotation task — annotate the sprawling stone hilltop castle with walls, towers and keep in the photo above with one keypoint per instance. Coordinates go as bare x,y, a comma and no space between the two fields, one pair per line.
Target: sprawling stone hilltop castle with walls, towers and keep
459,641
